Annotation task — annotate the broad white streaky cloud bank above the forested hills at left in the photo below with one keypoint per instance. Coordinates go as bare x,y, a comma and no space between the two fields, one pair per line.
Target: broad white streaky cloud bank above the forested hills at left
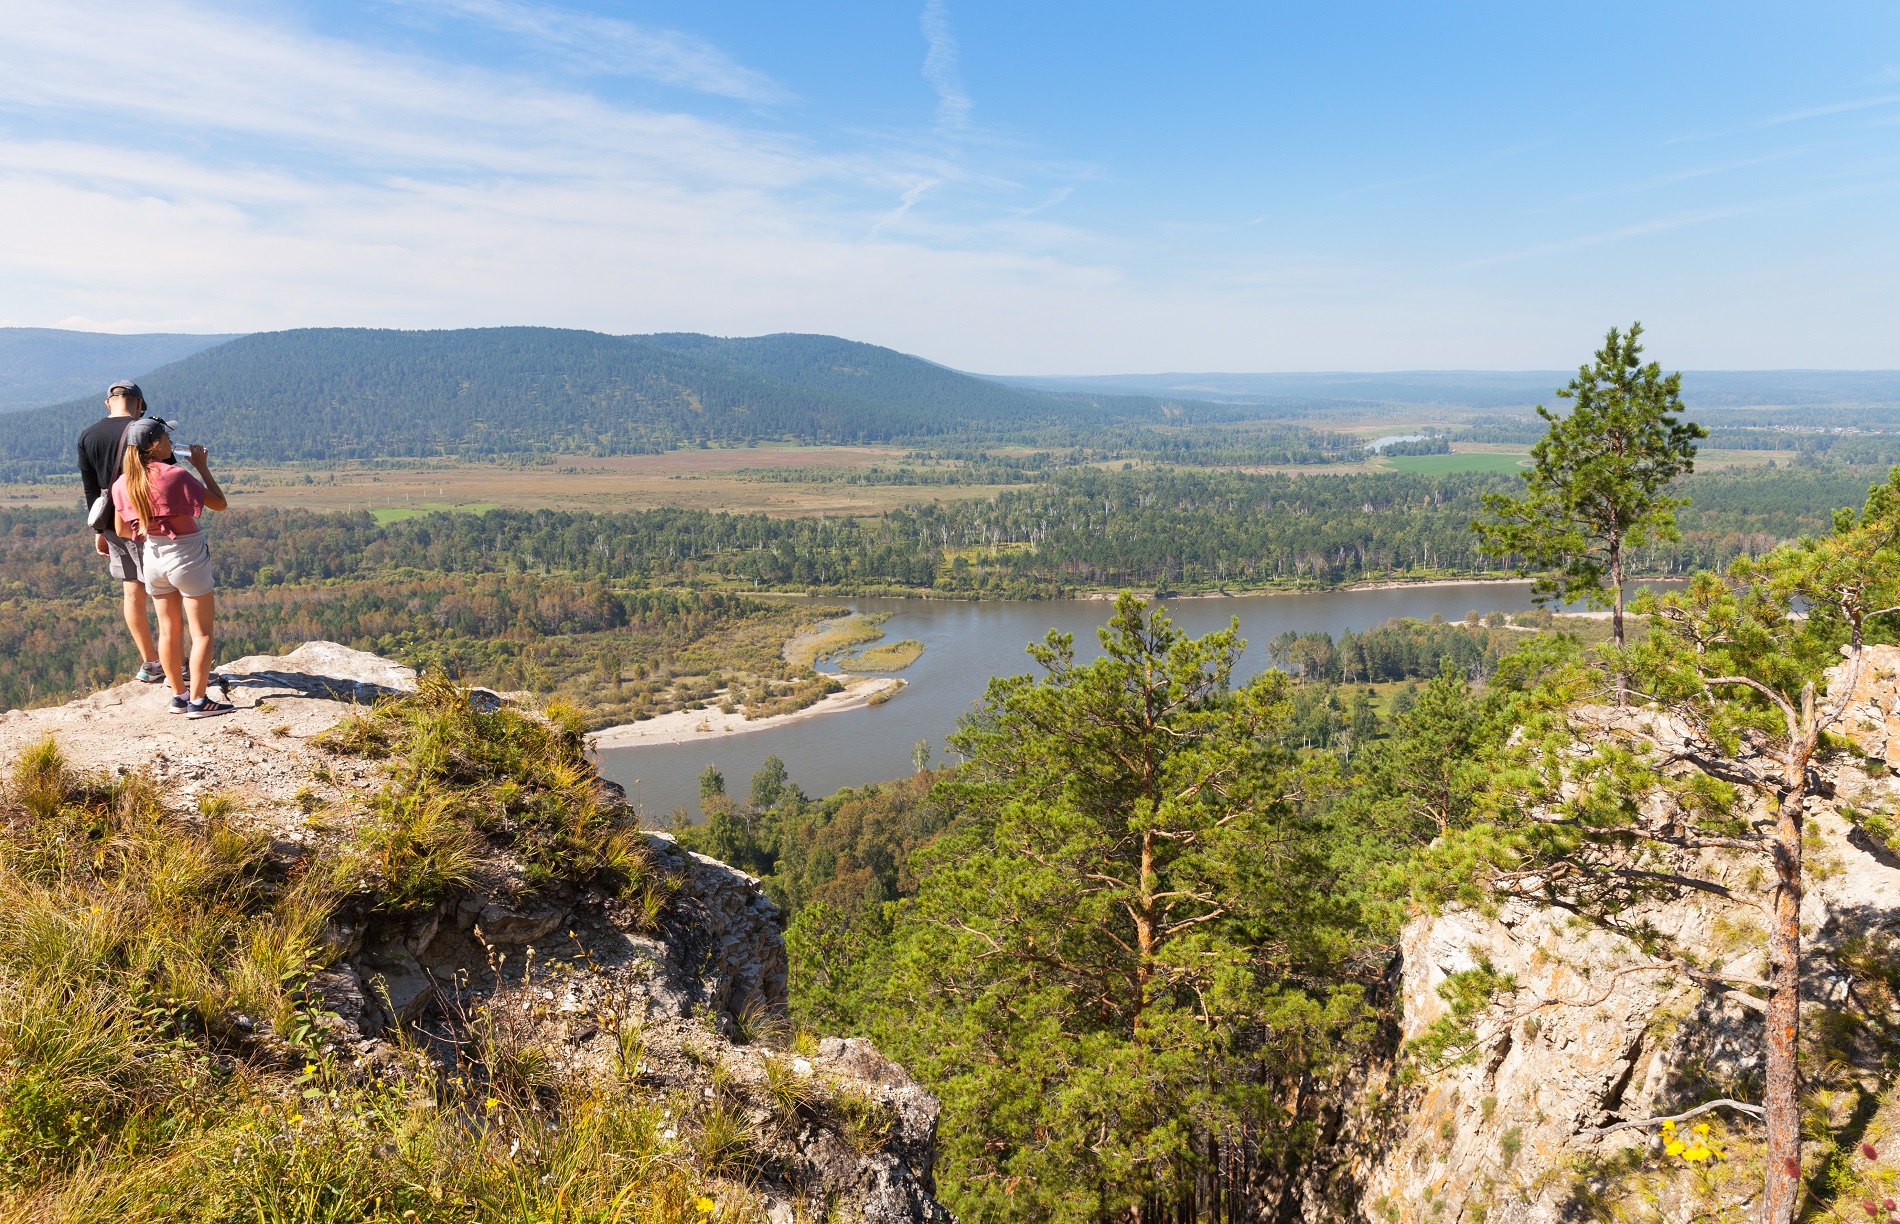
280,178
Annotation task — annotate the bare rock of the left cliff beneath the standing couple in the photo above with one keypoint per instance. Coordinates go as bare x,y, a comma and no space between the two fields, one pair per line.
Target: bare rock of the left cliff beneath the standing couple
691,1003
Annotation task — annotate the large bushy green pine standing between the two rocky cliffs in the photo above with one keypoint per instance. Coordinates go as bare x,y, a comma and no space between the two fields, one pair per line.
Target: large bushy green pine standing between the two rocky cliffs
1128,966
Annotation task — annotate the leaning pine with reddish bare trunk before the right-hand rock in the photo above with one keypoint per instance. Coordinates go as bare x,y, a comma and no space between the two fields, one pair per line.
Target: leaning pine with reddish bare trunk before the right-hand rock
1612,811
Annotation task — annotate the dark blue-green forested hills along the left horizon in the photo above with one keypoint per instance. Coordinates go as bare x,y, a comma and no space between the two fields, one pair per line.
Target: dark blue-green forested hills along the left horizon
520,391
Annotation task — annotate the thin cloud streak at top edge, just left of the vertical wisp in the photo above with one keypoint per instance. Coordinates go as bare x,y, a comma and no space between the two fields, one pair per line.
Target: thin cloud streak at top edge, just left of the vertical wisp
613,47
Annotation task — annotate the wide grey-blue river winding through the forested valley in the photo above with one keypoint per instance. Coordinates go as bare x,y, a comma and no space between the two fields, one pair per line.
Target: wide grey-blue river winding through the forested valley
968,643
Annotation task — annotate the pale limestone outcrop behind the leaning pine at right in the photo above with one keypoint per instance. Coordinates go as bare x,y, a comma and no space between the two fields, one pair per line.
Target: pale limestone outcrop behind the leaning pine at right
1500,1136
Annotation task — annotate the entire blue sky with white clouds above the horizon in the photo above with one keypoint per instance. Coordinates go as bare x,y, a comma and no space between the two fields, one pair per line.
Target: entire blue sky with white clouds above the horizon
1002,187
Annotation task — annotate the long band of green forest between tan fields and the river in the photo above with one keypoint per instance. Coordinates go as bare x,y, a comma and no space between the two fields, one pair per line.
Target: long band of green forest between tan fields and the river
1078,529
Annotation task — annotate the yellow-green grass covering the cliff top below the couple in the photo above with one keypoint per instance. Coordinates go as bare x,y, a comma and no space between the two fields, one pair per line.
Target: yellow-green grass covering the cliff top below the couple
159,1060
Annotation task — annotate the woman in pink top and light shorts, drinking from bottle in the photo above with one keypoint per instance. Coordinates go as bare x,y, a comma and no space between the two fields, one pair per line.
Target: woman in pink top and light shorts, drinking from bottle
161,503
